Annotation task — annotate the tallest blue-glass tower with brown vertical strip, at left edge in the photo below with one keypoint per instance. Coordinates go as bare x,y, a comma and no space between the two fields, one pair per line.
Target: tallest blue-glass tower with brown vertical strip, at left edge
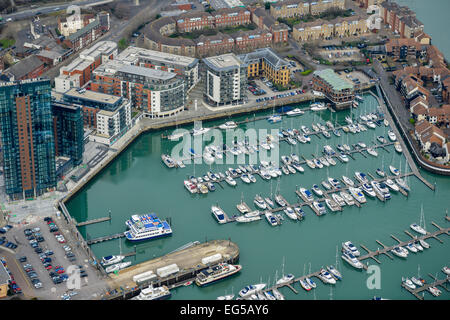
27,137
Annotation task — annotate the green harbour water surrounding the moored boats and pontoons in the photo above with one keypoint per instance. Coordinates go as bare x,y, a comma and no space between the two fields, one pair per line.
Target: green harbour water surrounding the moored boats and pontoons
137,181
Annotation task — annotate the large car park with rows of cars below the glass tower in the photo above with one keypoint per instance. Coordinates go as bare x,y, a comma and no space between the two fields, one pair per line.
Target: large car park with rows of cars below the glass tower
51,265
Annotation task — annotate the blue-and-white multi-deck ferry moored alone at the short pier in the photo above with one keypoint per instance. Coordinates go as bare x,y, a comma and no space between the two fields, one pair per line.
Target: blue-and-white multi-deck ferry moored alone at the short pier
146,227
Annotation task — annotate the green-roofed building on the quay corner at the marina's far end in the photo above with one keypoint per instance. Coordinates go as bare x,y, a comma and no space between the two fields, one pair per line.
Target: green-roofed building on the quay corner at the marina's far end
339,91
